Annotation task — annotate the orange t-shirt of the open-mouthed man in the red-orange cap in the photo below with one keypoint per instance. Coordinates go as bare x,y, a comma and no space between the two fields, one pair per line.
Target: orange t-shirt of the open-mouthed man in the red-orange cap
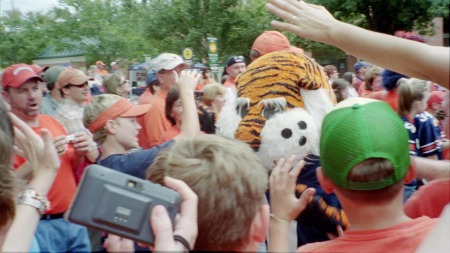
63,189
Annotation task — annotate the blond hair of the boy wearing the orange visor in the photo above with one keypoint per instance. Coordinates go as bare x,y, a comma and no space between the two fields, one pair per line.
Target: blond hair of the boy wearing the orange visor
98,104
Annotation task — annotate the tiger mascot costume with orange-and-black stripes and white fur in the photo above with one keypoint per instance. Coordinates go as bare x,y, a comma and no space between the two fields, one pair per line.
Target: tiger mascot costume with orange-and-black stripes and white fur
281,101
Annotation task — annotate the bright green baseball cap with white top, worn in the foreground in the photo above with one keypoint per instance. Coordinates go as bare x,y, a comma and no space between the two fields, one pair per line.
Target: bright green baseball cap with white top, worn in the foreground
358,129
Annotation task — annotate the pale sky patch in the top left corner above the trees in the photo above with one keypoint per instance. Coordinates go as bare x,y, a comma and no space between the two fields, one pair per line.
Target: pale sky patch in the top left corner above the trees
28,5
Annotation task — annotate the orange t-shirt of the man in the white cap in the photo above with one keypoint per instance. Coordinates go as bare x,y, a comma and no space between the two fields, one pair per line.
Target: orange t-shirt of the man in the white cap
154,122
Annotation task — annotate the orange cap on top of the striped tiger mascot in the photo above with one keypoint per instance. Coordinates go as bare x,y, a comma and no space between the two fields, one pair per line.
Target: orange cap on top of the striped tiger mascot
271,41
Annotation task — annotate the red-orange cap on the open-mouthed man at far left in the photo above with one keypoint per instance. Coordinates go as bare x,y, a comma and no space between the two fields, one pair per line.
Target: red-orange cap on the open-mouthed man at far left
17,74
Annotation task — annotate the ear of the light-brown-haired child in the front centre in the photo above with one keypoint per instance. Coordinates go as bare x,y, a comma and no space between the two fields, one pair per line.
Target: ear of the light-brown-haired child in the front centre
260,224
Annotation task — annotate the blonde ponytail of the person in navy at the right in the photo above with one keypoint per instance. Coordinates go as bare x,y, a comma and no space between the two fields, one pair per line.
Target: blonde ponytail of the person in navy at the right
410,90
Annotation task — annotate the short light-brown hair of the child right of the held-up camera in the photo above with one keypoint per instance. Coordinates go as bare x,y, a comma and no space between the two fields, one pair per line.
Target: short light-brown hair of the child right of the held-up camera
230,183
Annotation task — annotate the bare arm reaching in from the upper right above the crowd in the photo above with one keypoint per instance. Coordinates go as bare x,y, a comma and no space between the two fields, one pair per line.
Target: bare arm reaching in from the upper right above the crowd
404,56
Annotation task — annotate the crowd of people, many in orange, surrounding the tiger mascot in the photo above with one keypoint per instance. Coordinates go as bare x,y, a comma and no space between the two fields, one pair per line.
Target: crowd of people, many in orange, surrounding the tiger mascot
390,171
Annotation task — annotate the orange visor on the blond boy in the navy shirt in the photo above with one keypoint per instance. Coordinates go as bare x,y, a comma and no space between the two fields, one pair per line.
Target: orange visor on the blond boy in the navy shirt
121,108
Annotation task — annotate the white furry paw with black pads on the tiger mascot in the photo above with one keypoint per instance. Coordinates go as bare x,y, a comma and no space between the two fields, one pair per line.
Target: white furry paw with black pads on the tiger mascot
291,132
